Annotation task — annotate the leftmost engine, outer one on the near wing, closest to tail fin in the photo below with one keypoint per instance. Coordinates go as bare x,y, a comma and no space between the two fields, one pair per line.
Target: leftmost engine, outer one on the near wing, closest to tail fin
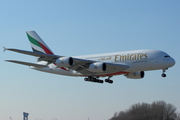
64,62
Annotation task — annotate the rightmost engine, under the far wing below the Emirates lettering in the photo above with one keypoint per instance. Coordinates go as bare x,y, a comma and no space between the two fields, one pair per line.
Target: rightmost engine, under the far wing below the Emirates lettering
135,75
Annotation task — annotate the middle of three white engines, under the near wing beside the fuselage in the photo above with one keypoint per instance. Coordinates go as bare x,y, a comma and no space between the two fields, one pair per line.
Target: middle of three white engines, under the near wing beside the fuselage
97,67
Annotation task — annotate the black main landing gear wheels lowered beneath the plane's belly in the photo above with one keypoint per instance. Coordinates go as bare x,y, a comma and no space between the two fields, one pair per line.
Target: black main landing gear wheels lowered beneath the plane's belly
94,79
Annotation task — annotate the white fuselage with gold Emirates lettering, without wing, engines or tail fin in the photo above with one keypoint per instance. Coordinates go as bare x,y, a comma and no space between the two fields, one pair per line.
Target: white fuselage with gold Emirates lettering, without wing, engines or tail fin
138,60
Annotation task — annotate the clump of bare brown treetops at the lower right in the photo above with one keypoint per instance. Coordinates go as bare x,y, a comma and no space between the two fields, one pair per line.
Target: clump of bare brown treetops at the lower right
158,110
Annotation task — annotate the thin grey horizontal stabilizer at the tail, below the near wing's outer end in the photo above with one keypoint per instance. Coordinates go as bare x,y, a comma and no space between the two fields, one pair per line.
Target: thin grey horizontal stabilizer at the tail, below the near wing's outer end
26,63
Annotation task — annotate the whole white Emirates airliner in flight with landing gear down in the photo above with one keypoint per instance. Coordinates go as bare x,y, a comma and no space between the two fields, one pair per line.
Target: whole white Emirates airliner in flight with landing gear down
131,64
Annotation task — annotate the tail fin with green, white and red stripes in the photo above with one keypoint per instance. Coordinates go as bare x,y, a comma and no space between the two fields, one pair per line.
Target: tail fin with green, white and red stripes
37,43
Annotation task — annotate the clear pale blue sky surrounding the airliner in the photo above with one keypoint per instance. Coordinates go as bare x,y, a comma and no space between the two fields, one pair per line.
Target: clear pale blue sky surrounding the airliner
82,27
